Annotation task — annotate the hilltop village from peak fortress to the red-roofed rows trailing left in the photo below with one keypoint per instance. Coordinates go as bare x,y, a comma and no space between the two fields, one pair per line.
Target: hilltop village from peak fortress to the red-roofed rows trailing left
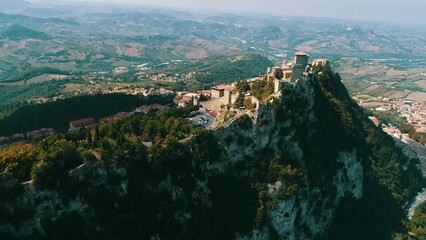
214,107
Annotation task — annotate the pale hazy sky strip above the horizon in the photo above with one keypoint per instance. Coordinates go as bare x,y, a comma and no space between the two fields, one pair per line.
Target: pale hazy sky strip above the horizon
405,11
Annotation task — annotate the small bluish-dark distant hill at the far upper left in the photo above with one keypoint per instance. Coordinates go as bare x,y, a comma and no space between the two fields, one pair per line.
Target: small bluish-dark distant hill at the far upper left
17,32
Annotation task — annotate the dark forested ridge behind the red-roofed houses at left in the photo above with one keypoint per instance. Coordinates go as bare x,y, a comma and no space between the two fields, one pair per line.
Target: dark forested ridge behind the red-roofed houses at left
58,114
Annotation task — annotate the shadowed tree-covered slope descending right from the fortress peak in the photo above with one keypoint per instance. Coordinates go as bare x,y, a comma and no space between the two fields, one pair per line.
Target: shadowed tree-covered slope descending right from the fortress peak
390,179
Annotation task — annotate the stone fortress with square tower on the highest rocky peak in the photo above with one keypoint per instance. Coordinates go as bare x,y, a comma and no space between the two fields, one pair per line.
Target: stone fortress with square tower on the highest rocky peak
292,71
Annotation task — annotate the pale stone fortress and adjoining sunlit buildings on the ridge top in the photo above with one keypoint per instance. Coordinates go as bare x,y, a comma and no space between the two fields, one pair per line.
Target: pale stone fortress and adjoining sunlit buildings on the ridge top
219,105
